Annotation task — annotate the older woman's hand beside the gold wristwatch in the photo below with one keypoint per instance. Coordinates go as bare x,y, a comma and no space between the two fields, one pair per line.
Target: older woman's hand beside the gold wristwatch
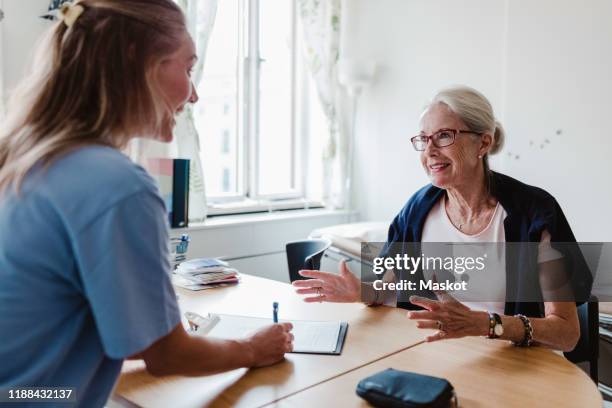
452,318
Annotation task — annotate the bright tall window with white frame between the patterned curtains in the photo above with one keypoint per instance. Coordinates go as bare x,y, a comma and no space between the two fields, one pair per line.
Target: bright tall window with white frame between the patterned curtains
251,90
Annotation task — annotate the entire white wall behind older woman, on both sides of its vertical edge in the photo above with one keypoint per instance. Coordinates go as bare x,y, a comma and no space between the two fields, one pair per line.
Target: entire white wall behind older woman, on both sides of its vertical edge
544,64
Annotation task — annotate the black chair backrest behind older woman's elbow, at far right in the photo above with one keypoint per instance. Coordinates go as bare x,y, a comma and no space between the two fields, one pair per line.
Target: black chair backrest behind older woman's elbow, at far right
587,348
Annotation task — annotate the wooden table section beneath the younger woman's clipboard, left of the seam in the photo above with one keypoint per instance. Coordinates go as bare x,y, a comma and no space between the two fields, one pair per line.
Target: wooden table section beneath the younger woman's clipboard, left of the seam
373,333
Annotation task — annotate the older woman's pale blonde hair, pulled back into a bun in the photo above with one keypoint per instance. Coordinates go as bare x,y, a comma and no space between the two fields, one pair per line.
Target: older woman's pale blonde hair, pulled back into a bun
475,110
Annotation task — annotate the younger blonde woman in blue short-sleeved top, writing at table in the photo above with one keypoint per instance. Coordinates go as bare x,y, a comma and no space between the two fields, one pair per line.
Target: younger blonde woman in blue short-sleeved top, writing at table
84,270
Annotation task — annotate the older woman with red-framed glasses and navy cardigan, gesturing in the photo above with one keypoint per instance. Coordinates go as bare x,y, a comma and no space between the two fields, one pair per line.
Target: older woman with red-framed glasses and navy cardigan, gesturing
466,202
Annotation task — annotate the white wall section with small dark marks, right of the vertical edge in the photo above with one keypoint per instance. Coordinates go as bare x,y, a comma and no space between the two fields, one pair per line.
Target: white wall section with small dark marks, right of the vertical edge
559,77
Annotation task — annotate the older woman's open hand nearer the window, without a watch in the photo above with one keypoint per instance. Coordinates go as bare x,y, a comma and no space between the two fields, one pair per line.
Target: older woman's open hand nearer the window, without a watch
329,287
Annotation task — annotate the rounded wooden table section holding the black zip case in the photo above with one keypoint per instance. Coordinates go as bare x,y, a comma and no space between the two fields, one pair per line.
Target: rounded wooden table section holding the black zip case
484,373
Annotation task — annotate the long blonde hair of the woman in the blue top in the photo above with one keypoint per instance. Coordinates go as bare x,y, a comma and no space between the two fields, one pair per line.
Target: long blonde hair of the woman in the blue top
92,83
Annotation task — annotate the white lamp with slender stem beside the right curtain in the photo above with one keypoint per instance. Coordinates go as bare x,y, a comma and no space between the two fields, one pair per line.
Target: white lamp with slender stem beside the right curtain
354,75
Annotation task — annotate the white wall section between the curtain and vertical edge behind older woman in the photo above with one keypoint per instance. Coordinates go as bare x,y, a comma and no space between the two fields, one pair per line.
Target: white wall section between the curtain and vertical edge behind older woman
420,46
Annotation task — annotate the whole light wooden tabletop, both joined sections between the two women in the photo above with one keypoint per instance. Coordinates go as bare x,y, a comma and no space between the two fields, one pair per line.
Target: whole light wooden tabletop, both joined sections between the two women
484,372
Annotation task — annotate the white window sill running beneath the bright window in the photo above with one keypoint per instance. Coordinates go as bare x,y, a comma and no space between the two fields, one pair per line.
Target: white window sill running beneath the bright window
224,221
